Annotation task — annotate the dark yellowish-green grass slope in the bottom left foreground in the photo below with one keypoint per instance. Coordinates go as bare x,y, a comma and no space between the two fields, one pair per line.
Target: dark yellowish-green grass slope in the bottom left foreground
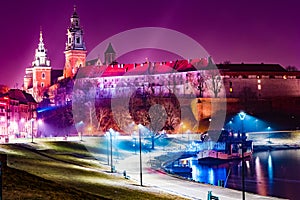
60,170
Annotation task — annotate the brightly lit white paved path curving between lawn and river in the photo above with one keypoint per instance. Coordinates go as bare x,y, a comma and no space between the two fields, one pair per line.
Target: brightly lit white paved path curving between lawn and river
185,188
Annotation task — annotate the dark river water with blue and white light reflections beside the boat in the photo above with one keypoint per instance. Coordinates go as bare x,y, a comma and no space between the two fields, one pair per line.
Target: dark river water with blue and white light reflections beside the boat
274,173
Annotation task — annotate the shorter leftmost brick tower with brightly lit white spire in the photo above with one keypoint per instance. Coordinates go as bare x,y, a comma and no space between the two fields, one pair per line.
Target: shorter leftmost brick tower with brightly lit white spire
38,78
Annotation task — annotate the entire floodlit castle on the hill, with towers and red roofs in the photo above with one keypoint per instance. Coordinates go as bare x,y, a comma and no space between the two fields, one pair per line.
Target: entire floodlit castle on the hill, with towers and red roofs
239,80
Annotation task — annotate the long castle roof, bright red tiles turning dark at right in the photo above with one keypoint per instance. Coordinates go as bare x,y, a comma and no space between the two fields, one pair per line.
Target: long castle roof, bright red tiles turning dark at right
172,66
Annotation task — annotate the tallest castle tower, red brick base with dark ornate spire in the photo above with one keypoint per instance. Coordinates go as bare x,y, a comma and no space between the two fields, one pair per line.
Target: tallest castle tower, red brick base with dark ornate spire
75,52
